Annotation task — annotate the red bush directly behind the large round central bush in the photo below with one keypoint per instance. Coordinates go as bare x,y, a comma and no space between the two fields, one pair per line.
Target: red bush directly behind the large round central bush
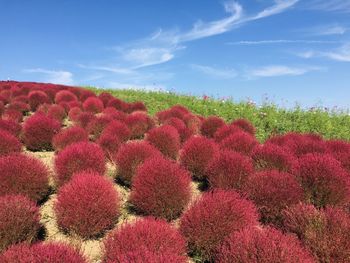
166,139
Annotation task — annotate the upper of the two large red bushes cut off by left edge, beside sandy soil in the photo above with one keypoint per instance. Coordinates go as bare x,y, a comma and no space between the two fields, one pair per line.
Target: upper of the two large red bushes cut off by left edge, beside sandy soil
23,174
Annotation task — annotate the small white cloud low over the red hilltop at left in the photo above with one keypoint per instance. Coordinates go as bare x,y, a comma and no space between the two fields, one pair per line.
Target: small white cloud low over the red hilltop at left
53,76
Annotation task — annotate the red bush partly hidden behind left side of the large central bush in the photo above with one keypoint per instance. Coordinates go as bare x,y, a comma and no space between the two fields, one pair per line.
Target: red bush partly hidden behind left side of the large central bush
130,156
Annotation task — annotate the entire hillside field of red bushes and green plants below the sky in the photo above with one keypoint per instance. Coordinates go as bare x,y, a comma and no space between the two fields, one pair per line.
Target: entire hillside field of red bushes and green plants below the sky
89,175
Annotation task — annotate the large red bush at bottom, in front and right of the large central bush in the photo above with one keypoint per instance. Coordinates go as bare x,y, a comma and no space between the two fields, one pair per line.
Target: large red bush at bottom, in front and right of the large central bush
212,218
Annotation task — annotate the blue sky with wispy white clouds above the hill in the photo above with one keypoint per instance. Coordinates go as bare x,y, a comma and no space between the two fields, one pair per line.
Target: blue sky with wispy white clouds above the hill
287,51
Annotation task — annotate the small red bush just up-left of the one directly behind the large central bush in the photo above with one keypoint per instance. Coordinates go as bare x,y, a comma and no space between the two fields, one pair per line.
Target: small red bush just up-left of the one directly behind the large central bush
139,123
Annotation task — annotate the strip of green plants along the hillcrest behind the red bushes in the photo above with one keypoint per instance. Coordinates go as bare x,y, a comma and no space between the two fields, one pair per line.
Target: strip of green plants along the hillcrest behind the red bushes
267,118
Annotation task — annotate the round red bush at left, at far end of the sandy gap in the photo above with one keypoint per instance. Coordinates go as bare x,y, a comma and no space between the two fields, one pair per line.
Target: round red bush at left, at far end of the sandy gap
38,131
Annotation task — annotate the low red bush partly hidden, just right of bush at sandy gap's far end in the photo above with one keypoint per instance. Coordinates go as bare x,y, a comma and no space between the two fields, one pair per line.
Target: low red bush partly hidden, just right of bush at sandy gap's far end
69,136
